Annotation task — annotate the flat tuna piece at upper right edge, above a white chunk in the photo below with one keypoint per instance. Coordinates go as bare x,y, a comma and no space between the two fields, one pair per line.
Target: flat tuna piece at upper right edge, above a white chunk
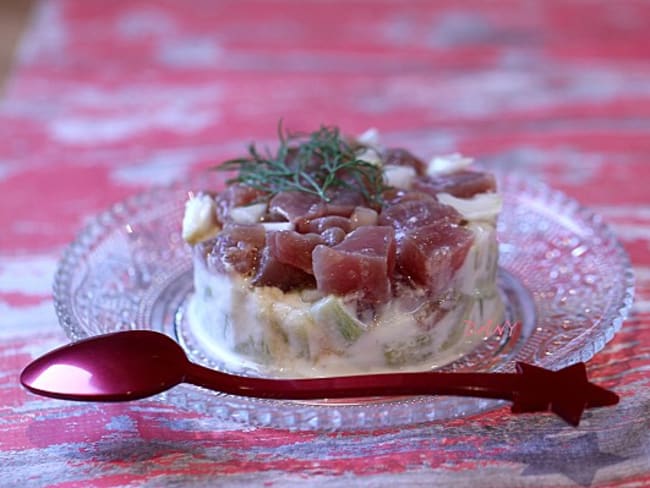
462,184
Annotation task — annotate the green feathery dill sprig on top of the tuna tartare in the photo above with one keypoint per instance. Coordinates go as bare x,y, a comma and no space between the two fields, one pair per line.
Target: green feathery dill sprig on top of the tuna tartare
314,163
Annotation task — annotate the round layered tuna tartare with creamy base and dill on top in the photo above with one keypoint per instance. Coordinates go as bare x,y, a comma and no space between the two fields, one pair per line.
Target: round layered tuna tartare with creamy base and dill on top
335,255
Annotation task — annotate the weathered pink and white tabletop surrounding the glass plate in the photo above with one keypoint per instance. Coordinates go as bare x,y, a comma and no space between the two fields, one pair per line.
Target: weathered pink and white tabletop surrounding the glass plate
110,98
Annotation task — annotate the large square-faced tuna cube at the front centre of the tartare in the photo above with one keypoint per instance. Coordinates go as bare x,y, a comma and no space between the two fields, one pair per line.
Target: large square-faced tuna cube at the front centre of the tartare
363,262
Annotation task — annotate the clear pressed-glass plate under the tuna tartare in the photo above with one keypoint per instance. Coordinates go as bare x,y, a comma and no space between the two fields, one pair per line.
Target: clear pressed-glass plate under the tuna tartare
566,280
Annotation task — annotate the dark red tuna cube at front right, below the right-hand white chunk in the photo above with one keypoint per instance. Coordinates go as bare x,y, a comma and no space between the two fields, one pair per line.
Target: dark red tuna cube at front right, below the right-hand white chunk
429,255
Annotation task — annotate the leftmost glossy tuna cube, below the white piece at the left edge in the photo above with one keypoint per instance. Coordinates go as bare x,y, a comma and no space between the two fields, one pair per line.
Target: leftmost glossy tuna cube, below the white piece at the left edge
237,247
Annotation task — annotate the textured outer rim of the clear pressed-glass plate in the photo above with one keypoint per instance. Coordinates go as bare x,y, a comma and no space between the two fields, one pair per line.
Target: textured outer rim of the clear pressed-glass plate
337,416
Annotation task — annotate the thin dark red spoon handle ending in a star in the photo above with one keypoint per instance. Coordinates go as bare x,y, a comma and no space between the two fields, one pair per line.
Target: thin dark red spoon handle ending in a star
566,392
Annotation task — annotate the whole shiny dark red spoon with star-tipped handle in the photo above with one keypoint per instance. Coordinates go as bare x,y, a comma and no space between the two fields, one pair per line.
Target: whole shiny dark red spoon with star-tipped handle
140,363
